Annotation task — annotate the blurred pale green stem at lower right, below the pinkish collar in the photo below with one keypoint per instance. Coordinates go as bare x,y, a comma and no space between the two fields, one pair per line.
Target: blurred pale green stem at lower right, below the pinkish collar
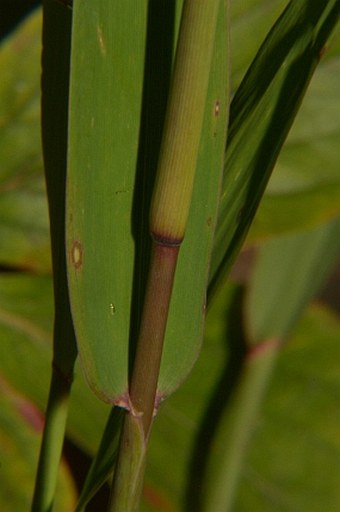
236,427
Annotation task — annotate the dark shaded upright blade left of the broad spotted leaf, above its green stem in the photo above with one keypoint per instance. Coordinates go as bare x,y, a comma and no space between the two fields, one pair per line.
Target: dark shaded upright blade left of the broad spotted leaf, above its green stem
54,120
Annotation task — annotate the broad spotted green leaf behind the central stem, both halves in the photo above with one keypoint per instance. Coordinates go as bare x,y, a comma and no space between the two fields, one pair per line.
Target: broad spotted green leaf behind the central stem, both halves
105,245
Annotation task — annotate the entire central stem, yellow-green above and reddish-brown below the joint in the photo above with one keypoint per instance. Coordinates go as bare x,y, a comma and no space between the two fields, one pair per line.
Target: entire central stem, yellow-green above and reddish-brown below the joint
168,219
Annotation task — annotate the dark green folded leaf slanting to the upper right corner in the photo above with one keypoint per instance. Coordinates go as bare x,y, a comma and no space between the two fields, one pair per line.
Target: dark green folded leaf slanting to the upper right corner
261,115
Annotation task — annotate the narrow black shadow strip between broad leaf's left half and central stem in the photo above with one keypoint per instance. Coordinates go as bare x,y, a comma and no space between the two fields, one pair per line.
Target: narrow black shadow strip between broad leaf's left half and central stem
157,73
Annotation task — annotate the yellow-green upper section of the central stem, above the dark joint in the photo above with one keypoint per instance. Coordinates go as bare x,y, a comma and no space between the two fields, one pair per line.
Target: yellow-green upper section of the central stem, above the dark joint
184,118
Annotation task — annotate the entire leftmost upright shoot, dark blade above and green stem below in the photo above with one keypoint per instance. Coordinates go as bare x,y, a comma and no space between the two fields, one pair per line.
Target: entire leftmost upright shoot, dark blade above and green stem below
56,51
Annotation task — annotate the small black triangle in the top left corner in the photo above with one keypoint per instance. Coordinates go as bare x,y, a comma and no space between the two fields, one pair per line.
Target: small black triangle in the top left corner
12,13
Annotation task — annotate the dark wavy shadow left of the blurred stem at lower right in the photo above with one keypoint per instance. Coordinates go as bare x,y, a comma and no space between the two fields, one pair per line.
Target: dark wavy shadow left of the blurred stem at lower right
219,400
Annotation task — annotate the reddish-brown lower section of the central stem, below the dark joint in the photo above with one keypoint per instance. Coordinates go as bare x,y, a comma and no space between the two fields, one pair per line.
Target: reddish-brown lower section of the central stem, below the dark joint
130,468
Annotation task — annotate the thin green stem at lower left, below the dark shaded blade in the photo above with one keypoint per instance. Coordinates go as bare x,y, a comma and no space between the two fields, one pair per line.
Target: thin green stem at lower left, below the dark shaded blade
52,443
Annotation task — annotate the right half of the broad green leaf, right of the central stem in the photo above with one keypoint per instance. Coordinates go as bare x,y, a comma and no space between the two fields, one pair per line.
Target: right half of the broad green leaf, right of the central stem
187,310
